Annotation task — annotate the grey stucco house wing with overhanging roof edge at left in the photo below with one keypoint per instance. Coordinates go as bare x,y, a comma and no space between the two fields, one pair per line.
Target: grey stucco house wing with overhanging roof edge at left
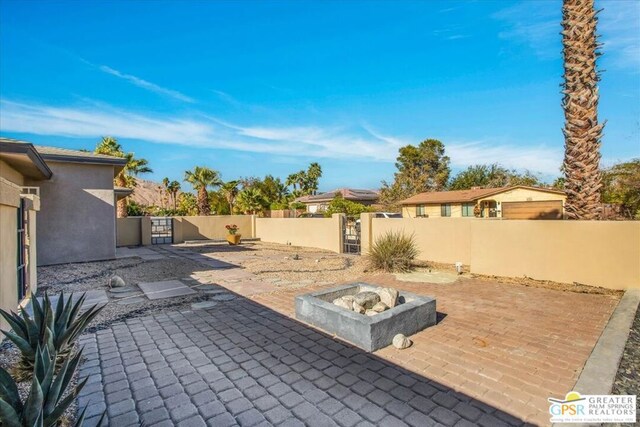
77,221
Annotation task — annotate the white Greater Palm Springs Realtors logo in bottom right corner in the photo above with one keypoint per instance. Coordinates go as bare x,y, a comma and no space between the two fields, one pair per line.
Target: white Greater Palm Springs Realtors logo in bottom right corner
577,408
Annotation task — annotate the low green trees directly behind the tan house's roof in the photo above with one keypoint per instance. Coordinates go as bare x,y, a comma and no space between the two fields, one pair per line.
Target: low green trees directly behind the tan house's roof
490,176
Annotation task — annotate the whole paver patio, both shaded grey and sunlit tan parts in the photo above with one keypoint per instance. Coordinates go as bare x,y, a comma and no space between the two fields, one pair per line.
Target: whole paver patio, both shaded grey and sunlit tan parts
498,352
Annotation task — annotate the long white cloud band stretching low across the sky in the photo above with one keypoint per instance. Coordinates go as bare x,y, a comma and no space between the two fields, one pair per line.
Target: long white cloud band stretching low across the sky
362,144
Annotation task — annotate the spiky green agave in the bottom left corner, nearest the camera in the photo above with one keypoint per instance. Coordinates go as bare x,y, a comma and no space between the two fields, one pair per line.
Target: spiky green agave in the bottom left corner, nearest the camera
48,398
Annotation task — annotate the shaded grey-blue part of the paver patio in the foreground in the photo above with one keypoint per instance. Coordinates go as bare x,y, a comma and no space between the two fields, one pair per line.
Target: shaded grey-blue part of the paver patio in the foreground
241,363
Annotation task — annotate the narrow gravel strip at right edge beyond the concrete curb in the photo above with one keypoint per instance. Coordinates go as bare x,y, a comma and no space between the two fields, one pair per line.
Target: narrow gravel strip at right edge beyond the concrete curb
628,376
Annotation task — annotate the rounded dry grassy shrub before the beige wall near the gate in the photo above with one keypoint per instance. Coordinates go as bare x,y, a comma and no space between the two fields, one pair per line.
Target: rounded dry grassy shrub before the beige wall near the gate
394,251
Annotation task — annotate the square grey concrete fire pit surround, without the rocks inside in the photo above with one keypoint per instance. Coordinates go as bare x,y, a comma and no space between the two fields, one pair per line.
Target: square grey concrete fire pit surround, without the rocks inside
413,314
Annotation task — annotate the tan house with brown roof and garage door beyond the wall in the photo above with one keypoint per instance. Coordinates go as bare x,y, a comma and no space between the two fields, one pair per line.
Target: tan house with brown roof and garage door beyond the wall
516,202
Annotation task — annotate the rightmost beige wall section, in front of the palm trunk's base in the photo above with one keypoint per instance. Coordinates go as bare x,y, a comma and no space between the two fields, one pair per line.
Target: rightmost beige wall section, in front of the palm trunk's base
597,253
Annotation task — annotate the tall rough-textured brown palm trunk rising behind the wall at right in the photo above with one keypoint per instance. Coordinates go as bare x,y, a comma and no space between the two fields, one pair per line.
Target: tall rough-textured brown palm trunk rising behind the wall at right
582,132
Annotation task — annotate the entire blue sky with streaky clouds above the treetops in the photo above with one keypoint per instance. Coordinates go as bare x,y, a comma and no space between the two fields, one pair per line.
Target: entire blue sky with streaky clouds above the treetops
252,88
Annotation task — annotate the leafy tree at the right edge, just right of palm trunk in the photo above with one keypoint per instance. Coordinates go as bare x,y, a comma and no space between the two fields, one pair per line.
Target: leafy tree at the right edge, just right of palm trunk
622,187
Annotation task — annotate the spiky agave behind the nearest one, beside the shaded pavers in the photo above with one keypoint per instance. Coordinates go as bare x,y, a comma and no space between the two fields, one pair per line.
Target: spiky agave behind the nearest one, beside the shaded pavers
56,330
